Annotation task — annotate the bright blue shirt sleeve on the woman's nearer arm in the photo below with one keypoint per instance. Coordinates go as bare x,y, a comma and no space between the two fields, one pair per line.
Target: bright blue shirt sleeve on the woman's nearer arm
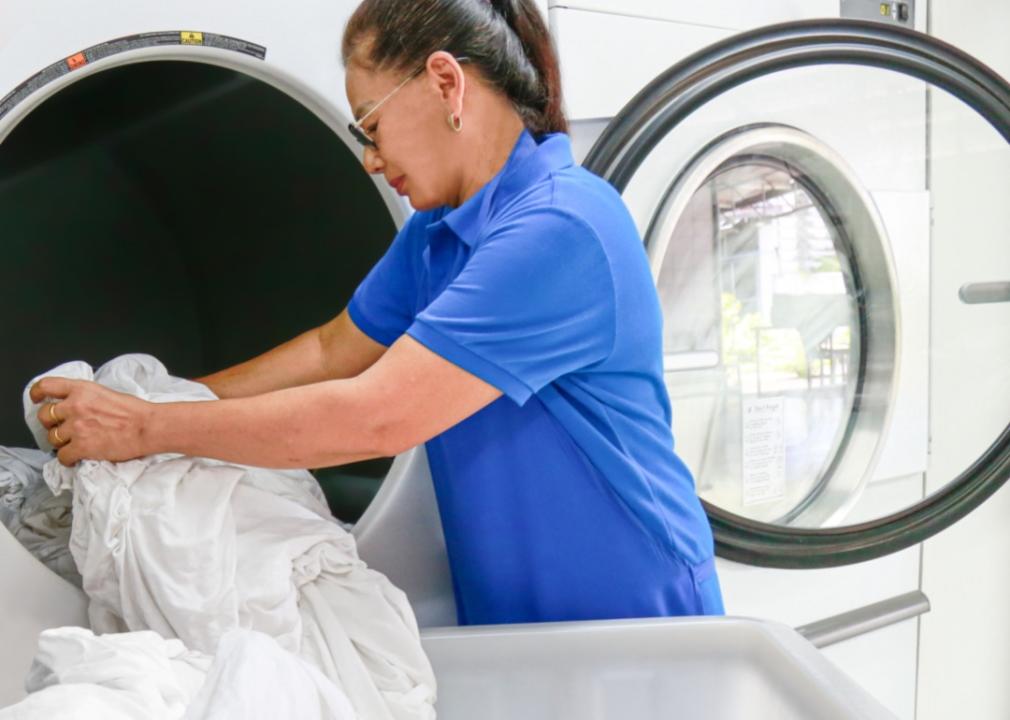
535,302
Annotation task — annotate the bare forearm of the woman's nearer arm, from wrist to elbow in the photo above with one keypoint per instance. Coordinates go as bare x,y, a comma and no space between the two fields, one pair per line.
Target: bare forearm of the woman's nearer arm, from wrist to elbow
311,427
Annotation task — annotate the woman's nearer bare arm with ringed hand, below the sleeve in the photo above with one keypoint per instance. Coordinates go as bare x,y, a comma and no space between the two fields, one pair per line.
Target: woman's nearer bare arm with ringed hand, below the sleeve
406,398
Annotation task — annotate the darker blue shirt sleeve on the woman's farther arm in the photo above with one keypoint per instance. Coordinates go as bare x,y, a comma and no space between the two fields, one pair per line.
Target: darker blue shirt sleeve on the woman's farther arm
384,304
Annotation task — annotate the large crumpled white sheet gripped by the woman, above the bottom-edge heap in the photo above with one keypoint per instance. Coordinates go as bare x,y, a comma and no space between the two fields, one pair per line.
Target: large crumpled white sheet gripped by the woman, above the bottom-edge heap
194,549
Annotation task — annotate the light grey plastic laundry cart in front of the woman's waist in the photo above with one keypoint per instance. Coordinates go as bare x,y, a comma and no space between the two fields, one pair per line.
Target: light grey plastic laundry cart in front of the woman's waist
640,670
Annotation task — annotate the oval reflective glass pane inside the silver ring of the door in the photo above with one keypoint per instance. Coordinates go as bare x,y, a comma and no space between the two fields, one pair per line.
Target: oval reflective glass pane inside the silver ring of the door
761,338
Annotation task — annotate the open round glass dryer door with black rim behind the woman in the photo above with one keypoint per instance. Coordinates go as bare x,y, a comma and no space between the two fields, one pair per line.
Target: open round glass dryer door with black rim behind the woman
824,208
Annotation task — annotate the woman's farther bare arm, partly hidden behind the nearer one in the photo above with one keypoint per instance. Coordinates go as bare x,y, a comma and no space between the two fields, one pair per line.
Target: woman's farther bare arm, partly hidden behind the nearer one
337,350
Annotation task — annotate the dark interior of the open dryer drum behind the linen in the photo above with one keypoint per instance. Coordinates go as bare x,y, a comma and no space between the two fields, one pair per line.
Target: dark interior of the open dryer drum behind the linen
183,211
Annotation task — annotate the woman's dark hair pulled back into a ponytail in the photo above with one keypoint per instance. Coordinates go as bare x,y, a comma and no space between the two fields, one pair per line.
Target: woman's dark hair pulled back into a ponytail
507,40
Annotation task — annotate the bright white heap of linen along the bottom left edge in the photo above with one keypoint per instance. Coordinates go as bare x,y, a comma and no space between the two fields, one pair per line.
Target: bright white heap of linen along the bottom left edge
141,676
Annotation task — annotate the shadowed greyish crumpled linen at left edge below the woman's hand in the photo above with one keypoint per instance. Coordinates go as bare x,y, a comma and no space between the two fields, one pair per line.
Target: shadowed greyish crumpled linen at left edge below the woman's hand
30,510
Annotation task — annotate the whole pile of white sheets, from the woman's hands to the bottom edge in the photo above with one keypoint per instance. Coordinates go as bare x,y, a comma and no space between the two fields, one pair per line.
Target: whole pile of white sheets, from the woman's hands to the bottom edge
242,576
